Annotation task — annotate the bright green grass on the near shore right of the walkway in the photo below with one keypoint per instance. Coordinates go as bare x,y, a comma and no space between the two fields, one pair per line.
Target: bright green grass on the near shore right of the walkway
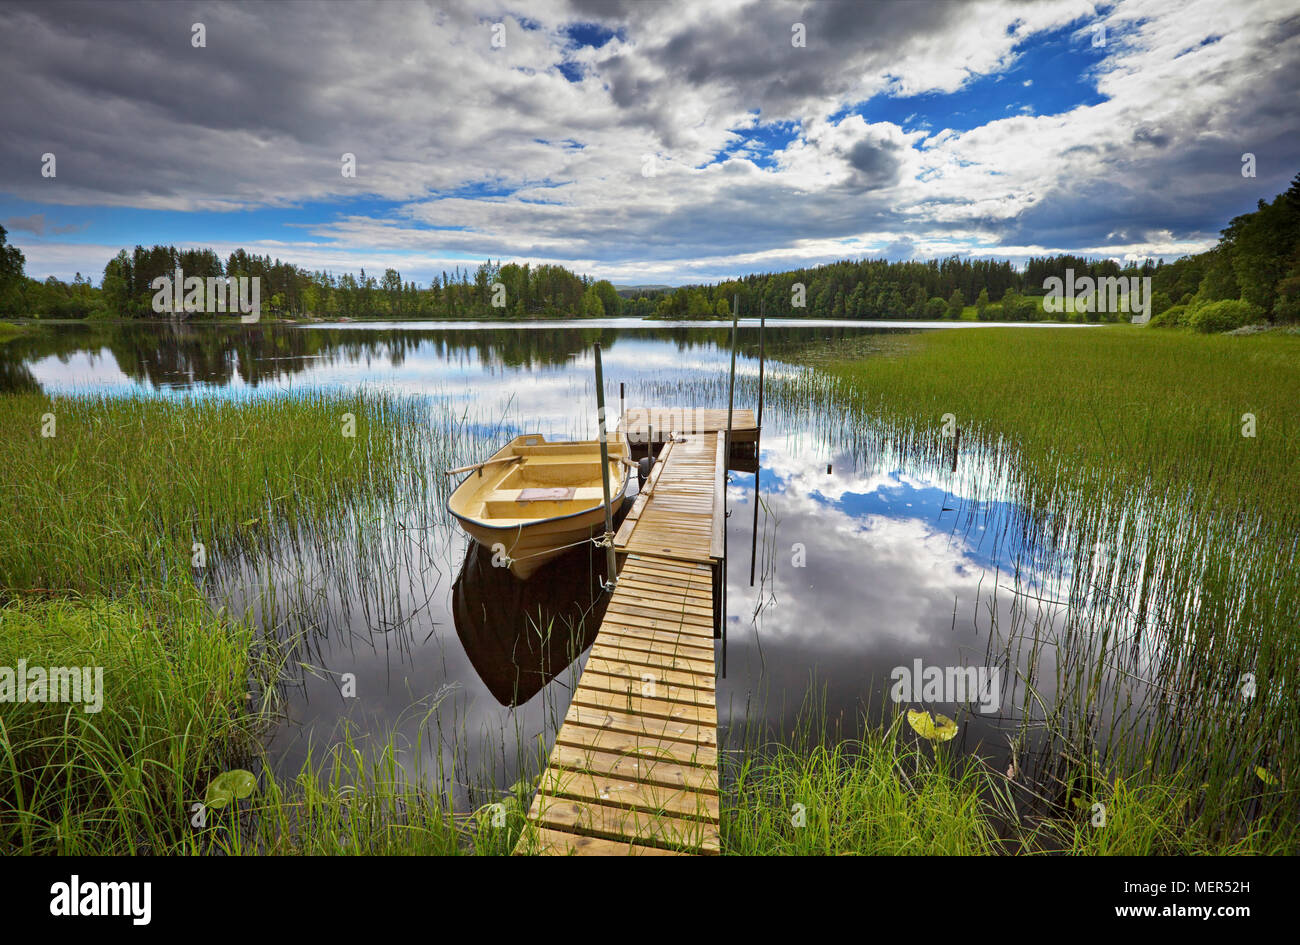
892,795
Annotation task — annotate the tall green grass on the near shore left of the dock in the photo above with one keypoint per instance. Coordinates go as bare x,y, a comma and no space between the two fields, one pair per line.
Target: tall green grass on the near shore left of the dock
177,712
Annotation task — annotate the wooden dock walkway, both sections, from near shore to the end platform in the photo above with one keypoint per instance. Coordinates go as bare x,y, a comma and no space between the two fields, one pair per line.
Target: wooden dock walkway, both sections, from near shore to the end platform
635,764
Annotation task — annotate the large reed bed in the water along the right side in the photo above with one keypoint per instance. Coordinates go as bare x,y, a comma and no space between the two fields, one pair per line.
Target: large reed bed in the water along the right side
1176,667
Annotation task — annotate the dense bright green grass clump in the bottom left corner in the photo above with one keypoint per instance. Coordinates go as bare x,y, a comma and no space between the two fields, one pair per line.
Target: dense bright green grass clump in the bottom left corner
172,713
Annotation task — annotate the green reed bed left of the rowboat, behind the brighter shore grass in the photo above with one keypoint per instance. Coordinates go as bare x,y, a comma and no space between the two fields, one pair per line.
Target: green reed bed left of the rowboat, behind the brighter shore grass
105,492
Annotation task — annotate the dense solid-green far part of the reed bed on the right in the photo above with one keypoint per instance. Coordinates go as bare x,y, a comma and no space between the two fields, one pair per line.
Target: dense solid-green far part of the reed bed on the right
1112,404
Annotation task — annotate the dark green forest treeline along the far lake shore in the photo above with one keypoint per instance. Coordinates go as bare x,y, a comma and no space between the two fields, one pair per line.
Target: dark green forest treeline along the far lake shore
1255,268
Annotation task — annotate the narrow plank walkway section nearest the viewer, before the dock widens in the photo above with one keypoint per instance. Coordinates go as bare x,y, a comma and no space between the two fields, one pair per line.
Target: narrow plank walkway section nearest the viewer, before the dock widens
635,765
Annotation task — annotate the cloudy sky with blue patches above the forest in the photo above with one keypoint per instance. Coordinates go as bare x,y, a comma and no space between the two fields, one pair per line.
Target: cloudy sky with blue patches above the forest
648,144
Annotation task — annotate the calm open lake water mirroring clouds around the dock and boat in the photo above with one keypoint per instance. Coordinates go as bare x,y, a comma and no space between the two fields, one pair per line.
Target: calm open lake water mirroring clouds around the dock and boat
869,560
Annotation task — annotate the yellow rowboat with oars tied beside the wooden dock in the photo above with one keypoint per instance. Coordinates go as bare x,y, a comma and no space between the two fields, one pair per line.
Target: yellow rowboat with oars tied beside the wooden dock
534,500
